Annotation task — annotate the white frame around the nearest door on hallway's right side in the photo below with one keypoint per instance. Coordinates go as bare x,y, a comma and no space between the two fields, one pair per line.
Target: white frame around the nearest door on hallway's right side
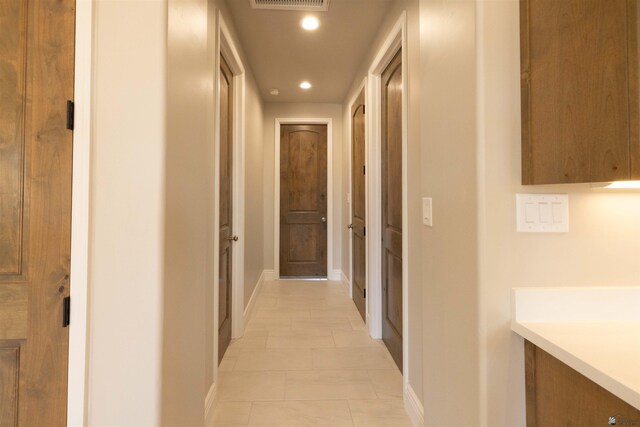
395,40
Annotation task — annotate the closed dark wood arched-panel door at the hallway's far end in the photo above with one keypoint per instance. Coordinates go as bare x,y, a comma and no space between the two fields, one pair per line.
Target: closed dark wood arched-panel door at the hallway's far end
303,201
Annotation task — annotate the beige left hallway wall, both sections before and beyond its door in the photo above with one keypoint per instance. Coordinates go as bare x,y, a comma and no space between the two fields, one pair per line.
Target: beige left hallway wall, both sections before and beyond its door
188,356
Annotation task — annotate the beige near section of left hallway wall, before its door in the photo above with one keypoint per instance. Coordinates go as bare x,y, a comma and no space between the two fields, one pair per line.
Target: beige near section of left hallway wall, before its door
188,233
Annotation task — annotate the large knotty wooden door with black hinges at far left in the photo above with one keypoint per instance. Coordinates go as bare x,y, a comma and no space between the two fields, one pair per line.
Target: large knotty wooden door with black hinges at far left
36,80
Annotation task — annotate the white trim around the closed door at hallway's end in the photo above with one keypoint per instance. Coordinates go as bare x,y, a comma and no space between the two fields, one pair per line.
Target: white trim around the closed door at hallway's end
331,274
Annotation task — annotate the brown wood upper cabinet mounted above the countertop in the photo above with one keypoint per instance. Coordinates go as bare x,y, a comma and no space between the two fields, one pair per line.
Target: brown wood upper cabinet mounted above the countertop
579,91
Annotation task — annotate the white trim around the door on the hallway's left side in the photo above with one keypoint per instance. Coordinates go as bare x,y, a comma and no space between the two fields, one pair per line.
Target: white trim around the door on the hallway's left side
226,46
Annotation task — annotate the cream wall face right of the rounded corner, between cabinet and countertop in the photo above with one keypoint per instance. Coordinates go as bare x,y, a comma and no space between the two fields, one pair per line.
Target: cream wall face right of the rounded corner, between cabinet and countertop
600,248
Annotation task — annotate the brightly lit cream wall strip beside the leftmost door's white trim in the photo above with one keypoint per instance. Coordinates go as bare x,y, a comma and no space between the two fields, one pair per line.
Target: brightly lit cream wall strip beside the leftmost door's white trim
127,213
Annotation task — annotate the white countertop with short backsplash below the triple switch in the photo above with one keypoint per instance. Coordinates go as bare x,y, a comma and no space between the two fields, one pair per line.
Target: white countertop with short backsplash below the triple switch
594,330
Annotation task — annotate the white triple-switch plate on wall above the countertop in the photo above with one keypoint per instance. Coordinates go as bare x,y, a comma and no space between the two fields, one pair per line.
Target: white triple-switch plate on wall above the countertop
542,213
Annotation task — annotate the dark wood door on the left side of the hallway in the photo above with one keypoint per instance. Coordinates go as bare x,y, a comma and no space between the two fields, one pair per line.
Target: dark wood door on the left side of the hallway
226,208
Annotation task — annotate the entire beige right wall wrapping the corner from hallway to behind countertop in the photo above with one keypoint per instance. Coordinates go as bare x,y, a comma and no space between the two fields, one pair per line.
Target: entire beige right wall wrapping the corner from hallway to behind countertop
473,255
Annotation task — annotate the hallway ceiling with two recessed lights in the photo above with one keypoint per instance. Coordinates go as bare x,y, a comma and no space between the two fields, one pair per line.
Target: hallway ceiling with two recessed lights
281,54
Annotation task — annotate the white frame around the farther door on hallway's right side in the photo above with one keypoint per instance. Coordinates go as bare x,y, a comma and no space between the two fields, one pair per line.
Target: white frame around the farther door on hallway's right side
363,86
